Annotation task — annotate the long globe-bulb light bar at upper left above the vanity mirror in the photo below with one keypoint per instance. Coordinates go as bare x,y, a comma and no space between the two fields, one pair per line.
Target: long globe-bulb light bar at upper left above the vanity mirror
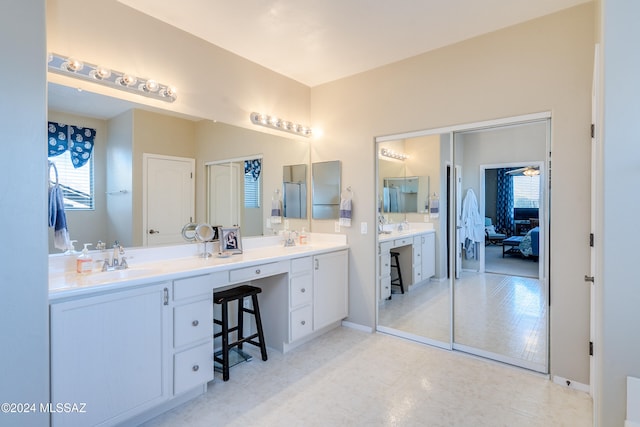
115,79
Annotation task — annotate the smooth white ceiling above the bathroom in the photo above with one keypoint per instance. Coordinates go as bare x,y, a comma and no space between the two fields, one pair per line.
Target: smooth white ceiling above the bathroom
318,41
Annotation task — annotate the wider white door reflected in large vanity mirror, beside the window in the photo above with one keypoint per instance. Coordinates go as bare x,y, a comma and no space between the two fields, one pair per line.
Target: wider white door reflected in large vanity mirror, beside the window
168,199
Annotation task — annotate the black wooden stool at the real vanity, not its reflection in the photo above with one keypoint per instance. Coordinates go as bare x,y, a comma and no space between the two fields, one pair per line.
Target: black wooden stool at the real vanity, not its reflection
237,294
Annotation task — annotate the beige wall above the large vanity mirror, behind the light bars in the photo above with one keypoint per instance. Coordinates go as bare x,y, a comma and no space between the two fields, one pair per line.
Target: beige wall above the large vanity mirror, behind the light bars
212,83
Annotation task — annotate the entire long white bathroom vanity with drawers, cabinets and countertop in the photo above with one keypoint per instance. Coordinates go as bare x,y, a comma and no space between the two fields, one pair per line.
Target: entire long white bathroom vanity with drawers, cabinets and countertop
131,344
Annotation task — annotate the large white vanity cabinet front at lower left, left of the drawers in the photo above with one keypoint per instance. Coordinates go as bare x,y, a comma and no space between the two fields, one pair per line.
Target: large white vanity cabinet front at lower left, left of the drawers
110,352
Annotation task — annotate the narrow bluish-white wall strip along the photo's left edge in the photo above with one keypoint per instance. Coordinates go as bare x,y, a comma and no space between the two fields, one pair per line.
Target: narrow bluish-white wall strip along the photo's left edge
24,330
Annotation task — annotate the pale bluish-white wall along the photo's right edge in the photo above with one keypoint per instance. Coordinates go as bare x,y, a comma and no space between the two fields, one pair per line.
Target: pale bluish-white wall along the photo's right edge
617,345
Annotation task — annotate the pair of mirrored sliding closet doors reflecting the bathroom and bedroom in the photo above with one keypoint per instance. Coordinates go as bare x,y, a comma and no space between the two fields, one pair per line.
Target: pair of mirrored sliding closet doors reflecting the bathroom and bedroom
488,294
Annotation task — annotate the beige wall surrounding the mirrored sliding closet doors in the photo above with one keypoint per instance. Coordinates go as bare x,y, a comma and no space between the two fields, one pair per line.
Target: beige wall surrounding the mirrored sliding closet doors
541,65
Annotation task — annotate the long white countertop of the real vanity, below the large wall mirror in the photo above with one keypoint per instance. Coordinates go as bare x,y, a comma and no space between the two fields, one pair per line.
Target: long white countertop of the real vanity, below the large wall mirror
148,265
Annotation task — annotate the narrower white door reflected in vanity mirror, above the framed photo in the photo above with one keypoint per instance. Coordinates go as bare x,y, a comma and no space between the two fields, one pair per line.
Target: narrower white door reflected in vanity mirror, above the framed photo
224,200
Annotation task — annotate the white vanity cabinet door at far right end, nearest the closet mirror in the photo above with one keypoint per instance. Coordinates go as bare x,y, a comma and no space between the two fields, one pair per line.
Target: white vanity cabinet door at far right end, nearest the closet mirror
330,288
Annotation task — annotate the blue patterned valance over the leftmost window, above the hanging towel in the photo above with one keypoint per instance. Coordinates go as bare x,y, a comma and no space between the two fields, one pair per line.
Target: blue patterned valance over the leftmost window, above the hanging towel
78,140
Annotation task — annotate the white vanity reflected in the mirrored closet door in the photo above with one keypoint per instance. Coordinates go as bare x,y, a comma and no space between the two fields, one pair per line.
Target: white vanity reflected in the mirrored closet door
416,247
